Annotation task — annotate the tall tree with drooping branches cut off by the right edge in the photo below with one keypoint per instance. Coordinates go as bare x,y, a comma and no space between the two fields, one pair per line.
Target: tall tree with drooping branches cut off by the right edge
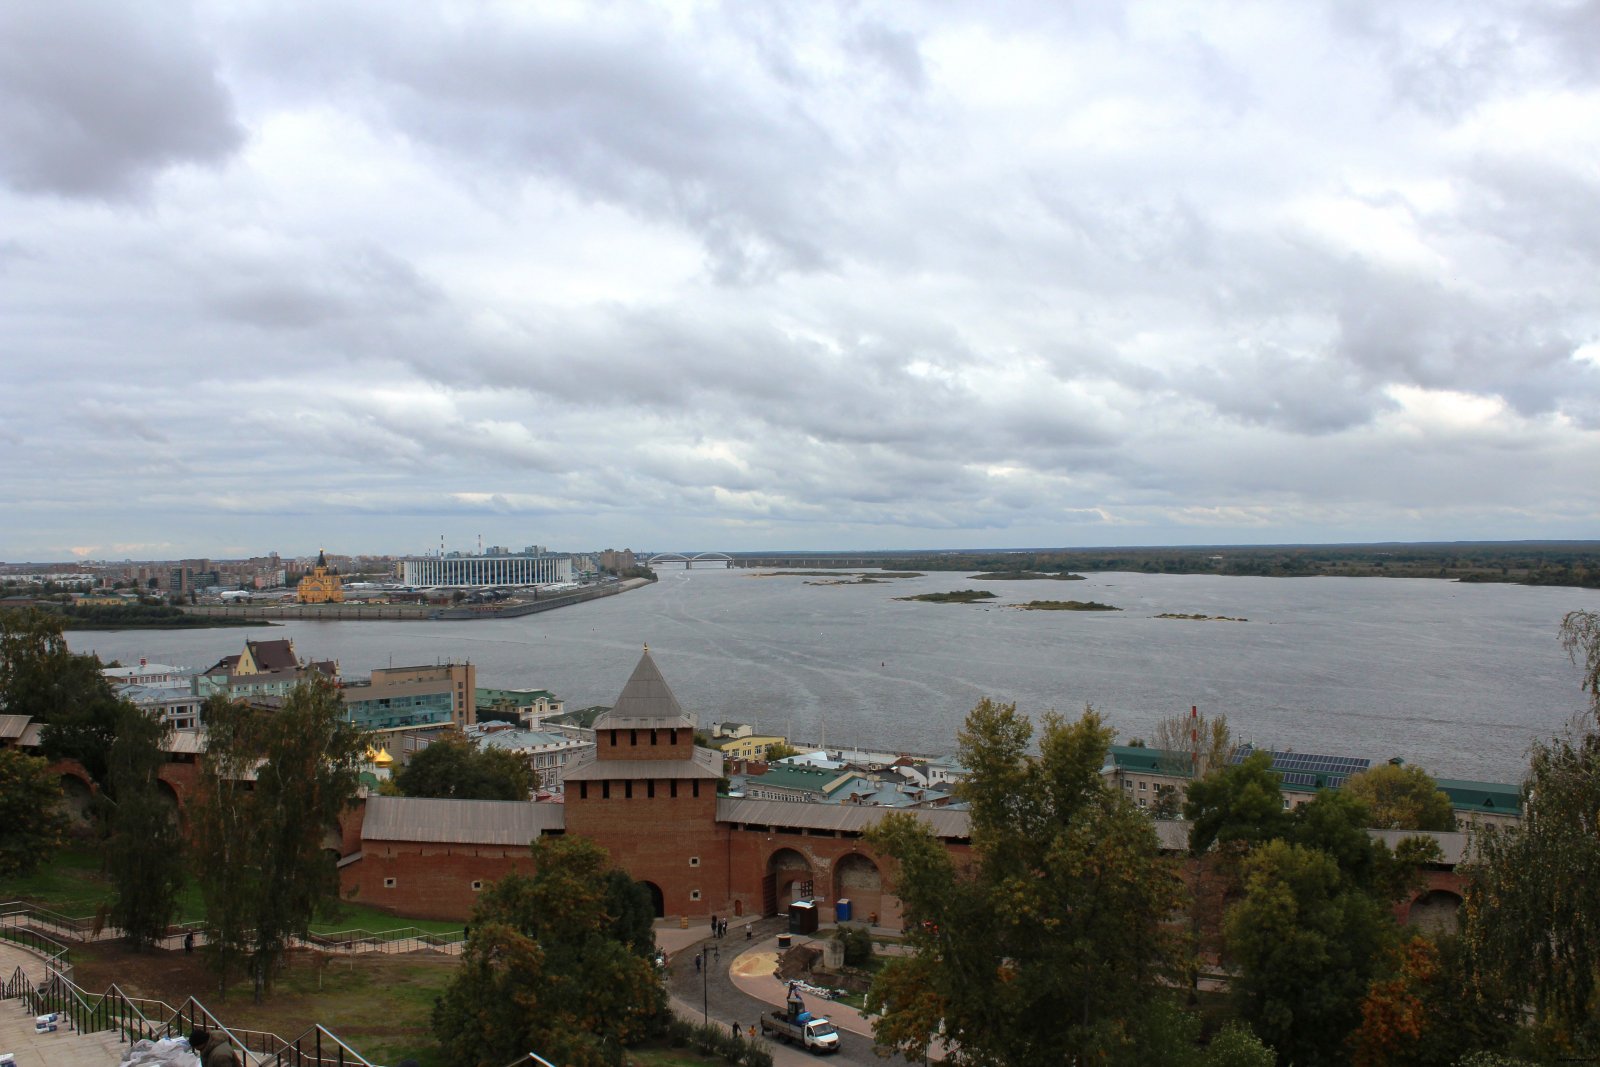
1532,914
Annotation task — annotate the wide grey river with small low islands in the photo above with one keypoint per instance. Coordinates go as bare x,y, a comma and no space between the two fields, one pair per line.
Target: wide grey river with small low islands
1460,679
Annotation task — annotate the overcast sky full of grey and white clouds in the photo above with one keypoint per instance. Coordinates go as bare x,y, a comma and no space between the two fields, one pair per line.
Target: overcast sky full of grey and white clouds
282,276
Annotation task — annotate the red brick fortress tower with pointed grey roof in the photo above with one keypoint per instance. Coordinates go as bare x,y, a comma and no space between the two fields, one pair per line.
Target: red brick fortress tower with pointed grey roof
650,797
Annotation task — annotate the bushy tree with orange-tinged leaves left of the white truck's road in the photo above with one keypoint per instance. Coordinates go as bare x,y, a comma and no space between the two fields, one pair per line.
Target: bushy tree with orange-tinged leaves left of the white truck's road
559,964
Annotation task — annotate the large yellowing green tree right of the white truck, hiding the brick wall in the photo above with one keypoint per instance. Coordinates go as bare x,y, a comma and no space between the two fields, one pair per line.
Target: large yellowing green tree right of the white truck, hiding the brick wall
1052,927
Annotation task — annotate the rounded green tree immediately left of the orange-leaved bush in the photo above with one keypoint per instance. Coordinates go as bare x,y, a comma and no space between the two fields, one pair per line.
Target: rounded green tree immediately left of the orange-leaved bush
1306,945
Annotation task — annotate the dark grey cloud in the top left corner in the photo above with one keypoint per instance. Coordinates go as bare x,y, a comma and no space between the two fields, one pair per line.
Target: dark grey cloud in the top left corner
97,98
